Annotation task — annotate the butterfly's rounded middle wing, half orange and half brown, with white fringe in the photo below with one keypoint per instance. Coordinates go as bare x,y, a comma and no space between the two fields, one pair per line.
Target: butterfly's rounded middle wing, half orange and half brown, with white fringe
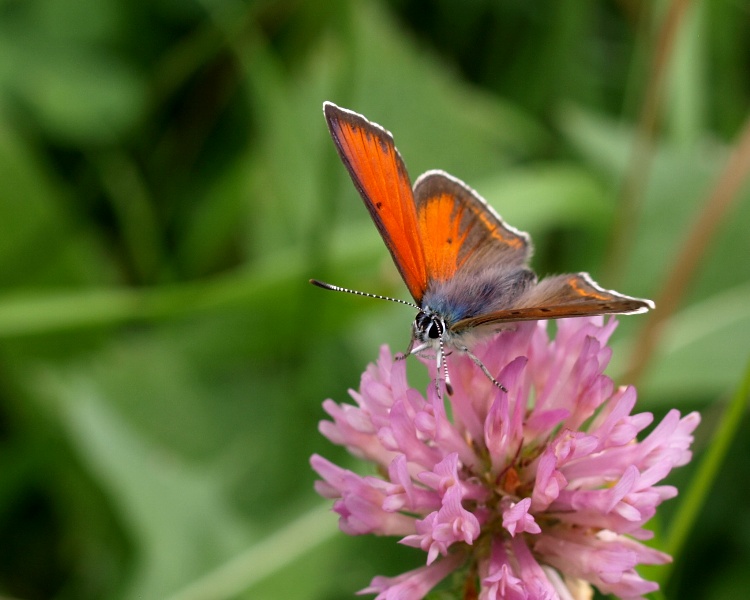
459,231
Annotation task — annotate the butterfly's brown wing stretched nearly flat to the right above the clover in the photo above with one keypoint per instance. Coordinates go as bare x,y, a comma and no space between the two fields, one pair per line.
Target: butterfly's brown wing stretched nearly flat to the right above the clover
572,295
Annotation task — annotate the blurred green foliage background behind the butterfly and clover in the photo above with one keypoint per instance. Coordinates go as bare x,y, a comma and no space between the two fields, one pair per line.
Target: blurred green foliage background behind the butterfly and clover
168,186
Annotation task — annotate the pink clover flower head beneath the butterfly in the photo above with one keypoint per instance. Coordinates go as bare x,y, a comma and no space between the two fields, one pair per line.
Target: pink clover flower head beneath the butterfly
538,493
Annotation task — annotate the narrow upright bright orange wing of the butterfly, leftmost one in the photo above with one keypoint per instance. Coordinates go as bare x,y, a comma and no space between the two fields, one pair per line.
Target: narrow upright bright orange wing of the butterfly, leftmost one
380,176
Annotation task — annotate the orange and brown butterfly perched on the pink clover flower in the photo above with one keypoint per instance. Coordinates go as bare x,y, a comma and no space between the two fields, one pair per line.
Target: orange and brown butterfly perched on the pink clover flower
466,269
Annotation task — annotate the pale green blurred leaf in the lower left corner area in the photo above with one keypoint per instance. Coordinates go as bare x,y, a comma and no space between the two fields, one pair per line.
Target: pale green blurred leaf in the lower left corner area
175,512
